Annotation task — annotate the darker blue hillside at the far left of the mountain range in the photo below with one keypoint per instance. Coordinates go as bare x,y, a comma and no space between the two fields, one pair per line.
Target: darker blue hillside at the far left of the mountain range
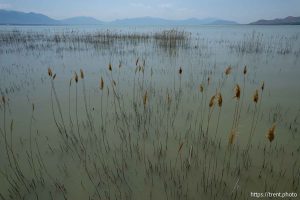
14,17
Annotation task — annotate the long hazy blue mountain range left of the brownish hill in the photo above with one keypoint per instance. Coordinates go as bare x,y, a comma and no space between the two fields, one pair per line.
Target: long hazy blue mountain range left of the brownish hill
21,18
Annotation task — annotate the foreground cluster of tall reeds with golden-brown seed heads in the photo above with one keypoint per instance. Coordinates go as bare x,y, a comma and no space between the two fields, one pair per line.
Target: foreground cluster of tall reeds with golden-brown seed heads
146,138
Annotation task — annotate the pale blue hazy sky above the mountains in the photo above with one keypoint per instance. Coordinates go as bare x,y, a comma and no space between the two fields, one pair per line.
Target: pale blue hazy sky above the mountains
242,11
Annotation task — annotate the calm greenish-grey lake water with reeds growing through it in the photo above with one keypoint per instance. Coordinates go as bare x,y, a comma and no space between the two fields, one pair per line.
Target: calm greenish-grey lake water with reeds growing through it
150,132
